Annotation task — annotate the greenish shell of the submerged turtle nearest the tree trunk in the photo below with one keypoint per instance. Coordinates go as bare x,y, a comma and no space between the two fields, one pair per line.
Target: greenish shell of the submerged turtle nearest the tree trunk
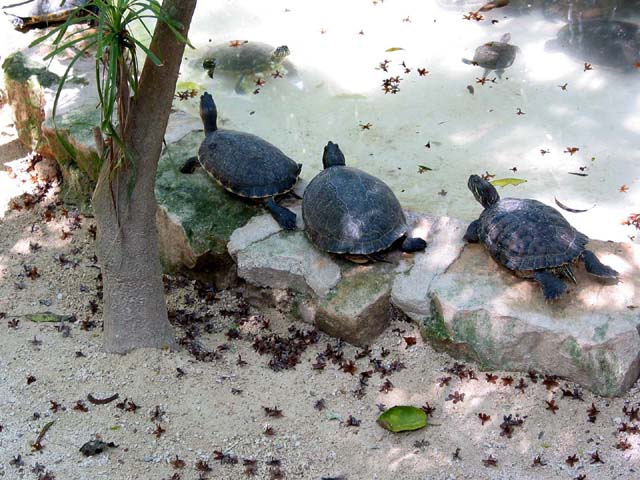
248,57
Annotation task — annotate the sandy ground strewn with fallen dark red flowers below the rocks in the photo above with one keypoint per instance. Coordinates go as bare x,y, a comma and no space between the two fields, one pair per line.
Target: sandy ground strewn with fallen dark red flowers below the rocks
210,410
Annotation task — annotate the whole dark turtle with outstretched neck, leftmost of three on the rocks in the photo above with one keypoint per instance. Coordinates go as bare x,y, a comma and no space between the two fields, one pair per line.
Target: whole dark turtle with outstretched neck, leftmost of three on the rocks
245,164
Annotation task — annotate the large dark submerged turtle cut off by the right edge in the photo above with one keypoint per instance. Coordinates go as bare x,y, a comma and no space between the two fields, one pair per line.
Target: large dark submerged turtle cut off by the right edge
610,43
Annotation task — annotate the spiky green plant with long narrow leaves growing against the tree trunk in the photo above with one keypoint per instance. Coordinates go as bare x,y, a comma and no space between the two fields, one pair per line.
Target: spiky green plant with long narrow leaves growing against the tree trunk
116,61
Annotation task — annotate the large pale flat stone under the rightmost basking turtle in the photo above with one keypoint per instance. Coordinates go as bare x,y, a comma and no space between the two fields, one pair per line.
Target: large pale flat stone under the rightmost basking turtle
480,310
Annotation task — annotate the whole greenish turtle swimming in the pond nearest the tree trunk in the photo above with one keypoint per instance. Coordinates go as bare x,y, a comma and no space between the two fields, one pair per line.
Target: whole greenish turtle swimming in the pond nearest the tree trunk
247,59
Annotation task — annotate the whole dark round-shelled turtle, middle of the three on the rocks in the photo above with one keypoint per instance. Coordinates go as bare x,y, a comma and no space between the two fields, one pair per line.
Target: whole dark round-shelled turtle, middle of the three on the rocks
347,211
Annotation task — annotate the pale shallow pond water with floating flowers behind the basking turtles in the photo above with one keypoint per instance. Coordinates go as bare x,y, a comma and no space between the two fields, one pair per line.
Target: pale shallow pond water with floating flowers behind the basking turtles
386,80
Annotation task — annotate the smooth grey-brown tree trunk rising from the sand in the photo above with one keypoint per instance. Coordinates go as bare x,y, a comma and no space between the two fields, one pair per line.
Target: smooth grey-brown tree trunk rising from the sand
135,312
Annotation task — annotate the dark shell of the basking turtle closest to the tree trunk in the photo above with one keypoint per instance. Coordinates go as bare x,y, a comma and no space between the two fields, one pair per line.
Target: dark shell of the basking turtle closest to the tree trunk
247,165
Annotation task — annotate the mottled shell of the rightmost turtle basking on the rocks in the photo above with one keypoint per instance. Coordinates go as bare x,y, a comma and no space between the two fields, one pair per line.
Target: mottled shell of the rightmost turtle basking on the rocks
524,234
